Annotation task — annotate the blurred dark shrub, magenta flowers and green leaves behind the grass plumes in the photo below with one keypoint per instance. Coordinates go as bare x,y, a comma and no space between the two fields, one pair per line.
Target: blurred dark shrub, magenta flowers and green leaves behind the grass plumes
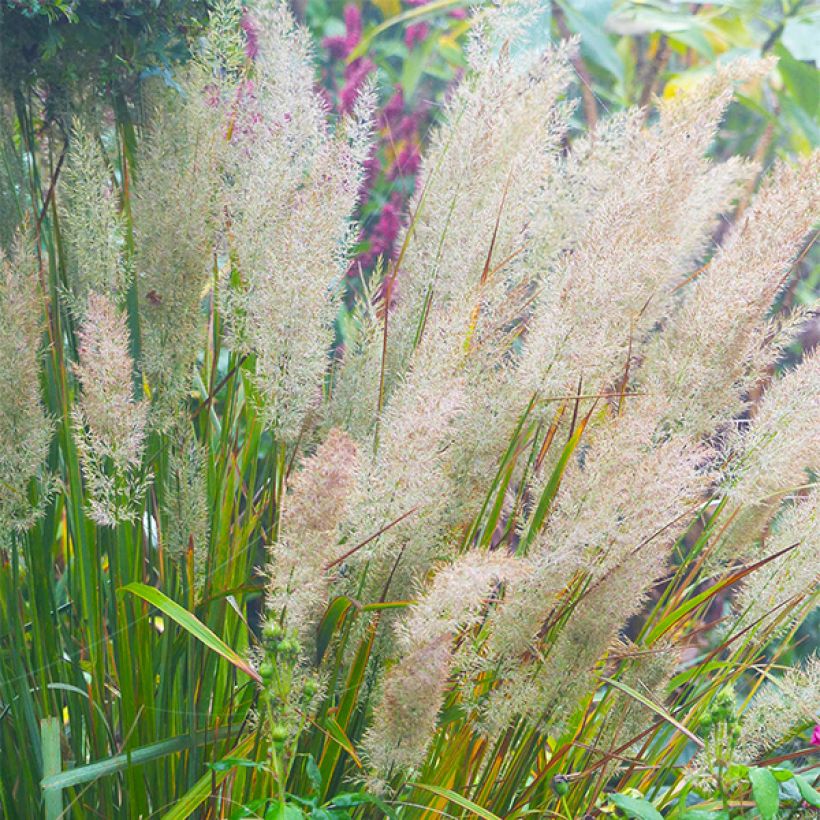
56,55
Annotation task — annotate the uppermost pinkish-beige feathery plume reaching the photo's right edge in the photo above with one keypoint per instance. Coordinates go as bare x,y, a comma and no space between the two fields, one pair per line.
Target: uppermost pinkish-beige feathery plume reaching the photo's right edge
714,349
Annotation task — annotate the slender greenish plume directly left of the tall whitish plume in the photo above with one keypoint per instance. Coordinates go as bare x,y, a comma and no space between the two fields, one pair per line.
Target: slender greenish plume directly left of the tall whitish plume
173,211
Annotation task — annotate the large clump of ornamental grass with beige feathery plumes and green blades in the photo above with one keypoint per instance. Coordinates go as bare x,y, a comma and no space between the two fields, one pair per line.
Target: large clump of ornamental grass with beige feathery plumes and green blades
499,556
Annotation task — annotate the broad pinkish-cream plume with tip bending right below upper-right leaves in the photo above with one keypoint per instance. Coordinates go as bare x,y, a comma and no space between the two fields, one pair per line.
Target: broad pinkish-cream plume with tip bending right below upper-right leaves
651,213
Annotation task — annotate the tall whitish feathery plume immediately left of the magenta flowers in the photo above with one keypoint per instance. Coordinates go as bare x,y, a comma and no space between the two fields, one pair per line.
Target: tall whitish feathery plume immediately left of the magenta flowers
293,187
